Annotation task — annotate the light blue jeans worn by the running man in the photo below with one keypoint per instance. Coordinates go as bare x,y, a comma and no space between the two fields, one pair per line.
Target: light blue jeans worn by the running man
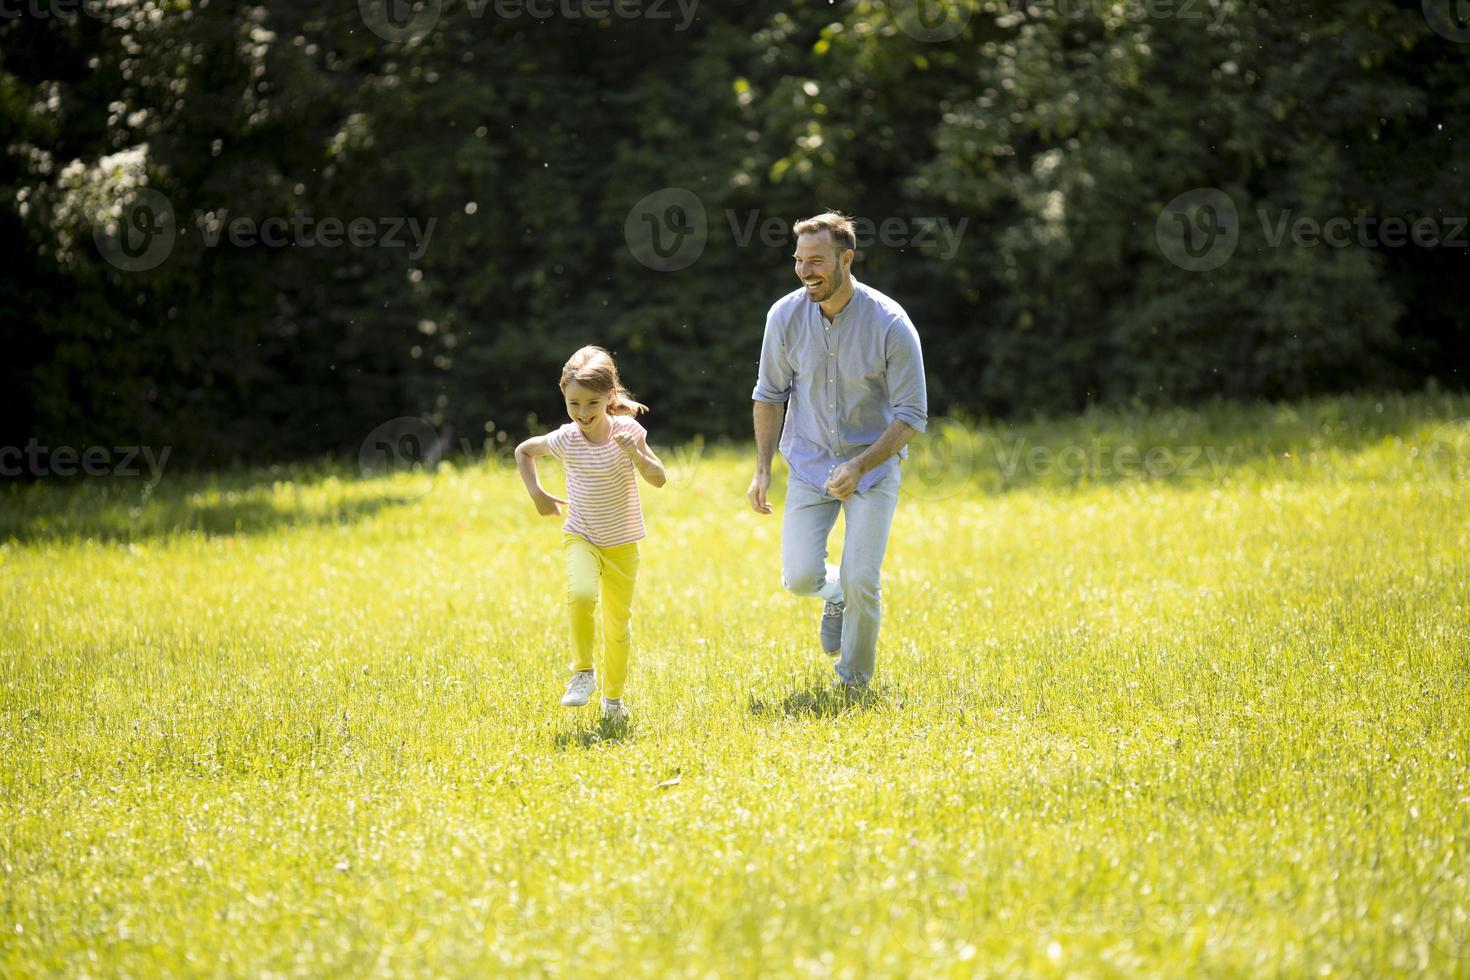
811,515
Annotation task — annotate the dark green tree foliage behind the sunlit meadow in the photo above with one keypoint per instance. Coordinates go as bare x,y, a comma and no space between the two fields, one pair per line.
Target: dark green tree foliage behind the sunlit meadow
1058,133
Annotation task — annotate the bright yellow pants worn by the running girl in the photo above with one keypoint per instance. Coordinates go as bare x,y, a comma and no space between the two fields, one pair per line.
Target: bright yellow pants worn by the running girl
615,569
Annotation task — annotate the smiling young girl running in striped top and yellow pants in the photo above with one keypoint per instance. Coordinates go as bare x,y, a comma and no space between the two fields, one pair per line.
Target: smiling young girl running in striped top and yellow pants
600,449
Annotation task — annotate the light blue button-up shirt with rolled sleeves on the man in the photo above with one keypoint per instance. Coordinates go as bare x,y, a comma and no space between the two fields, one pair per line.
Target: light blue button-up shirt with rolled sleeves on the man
843,381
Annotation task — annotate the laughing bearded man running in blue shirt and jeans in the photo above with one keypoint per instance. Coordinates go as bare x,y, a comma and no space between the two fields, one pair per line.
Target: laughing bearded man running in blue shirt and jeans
842,364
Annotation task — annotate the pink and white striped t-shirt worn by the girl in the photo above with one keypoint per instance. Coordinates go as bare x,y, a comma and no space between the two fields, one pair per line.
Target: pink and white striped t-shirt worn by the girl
602,491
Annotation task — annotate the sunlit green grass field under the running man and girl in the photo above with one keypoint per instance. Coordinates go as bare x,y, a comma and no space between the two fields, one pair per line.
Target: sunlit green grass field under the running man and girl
1174,694
